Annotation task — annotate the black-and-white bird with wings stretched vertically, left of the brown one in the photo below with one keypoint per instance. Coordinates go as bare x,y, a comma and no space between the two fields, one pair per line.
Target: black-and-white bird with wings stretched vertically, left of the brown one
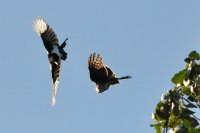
55,52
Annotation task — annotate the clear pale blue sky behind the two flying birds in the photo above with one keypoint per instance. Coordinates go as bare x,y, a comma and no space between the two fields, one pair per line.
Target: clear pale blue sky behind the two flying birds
147,39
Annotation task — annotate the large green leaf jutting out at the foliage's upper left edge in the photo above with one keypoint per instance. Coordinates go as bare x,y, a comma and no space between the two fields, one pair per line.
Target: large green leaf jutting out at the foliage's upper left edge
179,77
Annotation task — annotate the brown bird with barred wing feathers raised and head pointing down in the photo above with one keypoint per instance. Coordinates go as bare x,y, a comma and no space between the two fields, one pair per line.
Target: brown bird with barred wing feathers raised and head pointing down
101,74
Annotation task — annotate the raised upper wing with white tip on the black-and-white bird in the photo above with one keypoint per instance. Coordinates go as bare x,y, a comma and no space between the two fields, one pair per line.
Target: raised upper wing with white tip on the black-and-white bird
47,34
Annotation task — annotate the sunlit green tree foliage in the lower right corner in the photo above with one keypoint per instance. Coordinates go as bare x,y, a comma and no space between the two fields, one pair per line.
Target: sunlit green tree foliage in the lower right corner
175,111
